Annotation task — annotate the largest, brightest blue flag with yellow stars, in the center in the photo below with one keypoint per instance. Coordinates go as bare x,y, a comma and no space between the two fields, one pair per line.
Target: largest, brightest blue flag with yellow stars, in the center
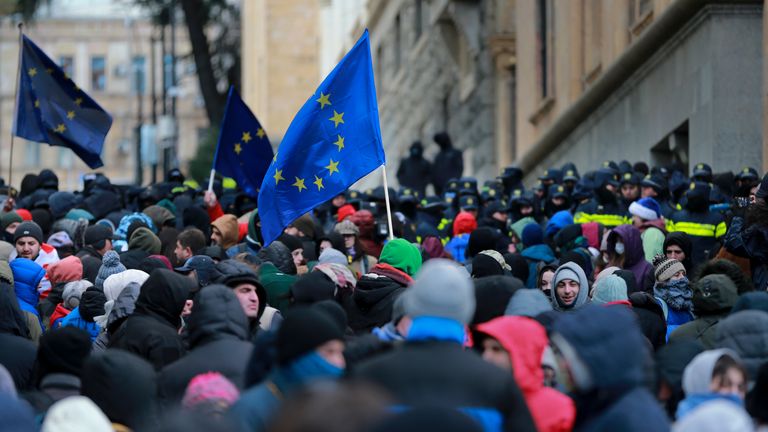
333,141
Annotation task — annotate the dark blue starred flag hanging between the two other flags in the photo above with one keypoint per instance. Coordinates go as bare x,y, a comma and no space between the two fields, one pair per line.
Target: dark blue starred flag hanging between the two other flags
243,152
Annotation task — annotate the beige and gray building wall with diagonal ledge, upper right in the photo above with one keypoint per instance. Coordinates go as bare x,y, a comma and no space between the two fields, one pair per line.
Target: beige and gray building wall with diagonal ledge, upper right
703,83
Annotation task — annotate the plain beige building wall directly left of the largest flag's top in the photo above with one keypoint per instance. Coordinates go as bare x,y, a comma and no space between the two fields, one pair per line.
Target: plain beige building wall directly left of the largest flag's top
280,57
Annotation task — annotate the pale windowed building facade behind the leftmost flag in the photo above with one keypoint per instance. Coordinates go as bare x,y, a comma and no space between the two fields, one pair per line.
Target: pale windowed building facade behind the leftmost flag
118,41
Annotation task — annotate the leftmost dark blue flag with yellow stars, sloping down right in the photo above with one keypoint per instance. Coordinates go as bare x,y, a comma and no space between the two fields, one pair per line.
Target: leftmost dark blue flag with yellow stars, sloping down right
51,108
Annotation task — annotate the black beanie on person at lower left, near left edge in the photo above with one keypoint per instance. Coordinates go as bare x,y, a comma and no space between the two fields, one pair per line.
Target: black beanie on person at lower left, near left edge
63,350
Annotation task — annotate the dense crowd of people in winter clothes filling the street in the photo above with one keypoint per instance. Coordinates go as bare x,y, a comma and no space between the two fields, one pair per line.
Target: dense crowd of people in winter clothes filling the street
627,298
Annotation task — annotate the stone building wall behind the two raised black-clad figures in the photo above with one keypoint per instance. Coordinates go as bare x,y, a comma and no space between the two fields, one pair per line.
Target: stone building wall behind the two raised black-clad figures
440,73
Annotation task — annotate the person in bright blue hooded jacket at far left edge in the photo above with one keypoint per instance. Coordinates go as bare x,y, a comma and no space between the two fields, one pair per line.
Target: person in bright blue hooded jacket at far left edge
27,276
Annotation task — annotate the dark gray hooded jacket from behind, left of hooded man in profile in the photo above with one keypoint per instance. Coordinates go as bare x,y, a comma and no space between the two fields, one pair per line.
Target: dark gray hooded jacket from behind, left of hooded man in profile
219,341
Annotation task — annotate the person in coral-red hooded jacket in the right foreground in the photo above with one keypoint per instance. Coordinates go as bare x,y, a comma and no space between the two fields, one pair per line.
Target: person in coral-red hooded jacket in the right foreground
517,344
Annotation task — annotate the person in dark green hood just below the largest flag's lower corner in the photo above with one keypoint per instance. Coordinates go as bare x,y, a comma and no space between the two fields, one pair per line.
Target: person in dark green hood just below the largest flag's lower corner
277,273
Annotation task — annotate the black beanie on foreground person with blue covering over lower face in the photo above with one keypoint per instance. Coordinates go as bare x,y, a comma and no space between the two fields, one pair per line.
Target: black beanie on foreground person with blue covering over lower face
303,330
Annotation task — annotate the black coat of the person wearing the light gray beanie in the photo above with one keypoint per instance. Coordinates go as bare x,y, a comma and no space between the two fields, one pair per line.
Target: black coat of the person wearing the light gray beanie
444,374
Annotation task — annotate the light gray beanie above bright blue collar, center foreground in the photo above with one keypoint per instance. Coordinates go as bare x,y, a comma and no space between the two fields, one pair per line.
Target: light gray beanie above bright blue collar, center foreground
441,289
